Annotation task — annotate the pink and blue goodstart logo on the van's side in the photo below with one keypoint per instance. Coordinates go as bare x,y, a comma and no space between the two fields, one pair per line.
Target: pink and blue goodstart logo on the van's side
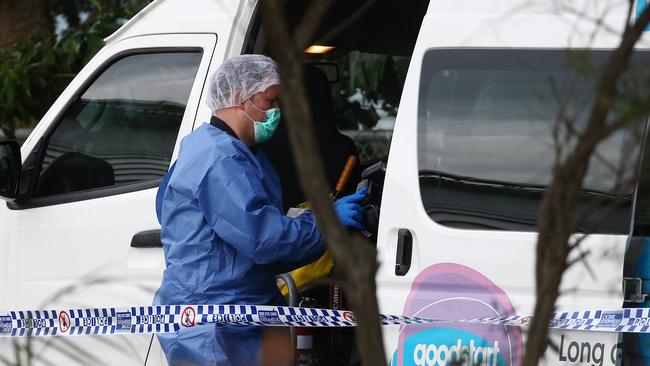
452,291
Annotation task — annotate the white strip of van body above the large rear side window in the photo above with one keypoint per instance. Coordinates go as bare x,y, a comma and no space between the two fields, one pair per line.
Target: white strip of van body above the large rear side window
536,24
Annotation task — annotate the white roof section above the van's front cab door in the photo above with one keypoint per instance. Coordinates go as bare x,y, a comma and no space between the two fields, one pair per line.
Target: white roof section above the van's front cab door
177,16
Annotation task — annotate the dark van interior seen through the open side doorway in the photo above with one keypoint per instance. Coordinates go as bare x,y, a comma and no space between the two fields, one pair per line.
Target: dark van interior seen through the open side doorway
353,86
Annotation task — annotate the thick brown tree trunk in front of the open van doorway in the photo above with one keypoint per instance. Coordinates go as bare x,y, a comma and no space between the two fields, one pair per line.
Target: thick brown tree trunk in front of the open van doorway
356,258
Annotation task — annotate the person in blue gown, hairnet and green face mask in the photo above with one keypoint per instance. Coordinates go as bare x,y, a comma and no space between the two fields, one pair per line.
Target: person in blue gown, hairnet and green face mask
225,236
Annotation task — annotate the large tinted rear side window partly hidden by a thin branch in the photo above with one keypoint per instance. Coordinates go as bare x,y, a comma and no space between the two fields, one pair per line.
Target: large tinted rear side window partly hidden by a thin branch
486,145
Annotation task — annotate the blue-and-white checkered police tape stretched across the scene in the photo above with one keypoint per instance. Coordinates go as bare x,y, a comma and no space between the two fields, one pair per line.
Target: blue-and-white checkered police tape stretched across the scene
171,318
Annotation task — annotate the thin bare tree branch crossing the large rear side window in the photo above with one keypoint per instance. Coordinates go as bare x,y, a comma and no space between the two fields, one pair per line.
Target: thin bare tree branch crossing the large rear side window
554,225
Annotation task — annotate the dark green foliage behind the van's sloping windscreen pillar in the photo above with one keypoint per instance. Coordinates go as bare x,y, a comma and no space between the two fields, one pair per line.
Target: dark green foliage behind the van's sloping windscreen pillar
43,44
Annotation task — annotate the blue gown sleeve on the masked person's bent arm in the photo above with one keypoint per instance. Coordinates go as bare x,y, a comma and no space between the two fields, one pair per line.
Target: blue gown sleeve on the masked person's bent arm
234,202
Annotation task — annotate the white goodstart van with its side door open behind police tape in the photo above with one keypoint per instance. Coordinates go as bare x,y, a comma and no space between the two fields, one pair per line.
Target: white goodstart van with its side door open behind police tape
468,100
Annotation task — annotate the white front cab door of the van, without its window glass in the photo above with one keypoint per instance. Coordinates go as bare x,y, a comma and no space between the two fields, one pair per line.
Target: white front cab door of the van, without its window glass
78,254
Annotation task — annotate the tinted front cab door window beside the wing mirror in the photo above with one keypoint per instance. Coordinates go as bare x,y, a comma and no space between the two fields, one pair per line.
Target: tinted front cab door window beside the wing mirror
123,128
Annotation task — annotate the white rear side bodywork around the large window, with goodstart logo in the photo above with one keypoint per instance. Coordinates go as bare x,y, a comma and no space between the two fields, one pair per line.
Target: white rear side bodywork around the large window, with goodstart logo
499,264
